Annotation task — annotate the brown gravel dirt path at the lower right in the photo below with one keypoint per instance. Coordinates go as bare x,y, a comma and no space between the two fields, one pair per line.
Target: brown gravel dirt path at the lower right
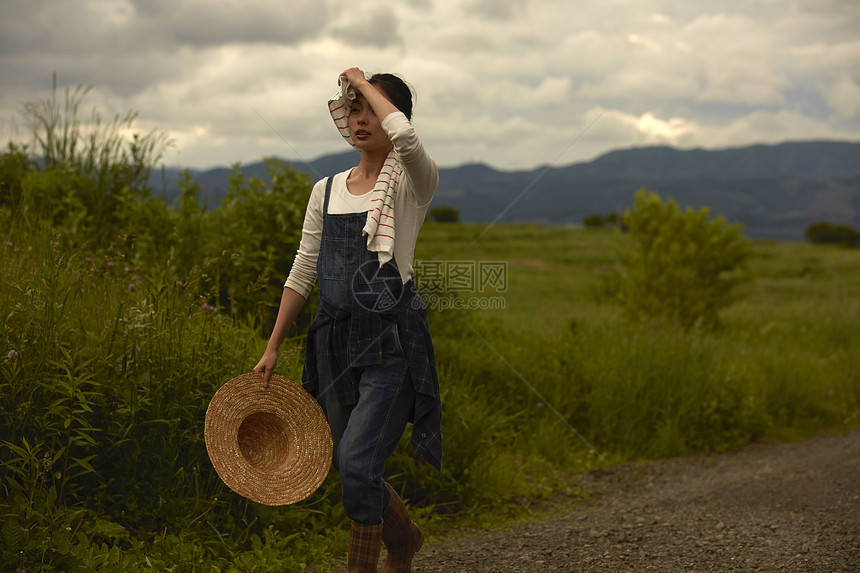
771,507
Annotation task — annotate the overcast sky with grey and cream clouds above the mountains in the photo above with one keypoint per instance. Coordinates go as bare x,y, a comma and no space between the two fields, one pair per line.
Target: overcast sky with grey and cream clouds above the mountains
512,83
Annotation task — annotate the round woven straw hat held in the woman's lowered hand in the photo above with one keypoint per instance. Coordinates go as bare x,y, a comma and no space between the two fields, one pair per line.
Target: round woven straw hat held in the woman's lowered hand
271,445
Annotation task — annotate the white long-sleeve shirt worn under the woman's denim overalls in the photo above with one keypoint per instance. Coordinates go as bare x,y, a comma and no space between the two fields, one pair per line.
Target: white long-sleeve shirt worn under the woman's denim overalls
410,205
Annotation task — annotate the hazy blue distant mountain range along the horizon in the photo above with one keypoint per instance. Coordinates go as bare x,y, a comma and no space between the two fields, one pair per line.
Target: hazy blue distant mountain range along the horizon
776,191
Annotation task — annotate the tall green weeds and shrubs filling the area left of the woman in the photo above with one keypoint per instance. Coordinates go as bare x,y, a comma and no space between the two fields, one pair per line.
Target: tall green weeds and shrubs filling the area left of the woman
121,317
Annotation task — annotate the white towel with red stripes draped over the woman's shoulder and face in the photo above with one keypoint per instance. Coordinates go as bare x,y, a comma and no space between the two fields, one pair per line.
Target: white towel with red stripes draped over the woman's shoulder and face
379,227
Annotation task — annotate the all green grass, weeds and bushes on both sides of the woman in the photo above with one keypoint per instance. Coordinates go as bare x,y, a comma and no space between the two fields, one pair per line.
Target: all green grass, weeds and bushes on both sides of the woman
122,315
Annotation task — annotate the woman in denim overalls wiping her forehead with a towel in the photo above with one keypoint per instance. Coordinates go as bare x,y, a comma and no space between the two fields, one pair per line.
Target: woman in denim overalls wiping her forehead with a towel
369,358
